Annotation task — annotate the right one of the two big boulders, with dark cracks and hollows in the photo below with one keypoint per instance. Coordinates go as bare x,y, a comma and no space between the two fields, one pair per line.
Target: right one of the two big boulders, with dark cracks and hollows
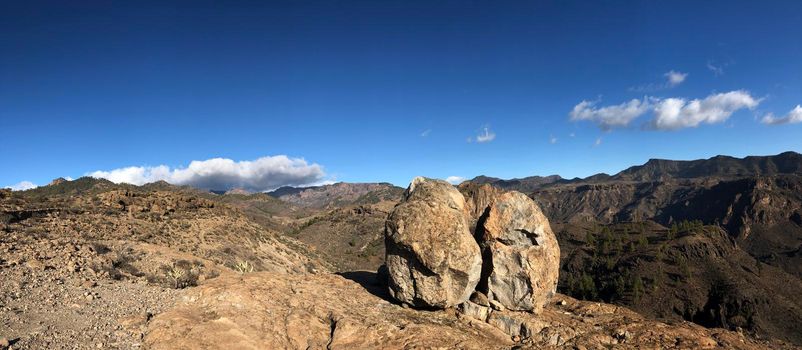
522,257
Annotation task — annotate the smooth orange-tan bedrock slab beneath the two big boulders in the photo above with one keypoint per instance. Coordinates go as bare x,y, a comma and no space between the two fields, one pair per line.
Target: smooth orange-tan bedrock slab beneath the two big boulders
280,311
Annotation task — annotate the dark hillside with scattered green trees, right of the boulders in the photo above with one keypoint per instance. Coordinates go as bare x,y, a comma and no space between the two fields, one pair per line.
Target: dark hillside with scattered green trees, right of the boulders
690,271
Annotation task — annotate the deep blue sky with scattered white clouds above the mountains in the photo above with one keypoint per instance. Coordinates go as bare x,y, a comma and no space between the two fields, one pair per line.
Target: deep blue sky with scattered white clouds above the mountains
368,91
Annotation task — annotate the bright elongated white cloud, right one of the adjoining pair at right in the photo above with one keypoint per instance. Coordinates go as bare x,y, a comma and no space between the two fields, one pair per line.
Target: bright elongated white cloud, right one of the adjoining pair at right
677,113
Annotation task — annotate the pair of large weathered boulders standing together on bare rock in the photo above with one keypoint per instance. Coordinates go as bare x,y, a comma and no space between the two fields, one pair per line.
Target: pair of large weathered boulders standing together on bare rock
519,251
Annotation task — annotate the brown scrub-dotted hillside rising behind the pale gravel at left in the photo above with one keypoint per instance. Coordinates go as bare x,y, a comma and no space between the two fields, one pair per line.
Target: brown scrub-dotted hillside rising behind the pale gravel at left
182,219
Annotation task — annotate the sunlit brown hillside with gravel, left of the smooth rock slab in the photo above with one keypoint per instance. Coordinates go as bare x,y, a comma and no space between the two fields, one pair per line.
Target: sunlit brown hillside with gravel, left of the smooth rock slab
86,264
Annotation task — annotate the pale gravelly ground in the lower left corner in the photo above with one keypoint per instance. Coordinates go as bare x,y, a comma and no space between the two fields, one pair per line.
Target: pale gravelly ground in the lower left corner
51,299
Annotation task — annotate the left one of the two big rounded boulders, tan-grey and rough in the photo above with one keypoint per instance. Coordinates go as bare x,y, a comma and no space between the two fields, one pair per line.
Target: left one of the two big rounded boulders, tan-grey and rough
432,258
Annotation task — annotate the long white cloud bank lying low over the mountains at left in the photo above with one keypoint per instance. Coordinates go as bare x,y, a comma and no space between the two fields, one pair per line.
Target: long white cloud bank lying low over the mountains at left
262,174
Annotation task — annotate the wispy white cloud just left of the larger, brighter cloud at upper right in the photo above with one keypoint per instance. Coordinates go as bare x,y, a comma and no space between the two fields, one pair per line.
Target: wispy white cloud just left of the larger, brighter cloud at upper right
611,116
